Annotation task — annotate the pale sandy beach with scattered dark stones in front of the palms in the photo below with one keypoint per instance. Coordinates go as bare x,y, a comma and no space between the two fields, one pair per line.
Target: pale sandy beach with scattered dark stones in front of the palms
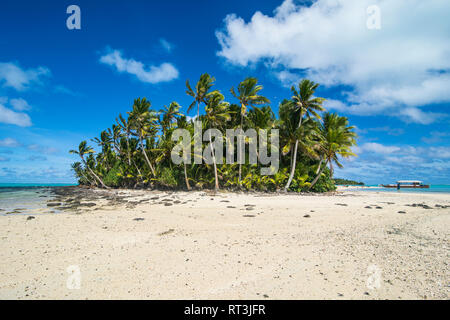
200,245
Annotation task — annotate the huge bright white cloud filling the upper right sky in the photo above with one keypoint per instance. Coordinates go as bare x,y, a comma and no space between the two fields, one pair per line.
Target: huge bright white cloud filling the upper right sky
403,66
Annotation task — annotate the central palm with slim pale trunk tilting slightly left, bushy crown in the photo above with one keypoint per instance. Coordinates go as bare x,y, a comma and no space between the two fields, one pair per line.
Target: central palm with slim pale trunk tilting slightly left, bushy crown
216,116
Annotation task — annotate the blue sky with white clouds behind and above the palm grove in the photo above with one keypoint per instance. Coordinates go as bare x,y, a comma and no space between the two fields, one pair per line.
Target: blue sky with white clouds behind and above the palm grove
61,86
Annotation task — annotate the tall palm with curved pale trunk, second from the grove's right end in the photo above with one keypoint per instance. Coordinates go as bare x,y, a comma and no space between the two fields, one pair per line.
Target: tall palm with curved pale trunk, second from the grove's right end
303,103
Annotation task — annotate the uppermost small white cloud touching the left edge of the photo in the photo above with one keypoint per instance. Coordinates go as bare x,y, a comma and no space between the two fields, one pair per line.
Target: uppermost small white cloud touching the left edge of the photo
11,75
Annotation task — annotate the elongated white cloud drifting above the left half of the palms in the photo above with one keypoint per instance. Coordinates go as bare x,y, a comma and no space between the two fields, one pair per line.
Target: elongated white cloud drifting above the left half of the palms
152,74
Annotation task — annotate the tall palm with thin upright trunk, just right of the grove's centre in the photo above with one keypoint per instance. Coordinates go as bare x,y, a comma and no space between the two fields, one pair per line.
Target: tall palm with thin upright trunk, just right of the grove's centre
247,94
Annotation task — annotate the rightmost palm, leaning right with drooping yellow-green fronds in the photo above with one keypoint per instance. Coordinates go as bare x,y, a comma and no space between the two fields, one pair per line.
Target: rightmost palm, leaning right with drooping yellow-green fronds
336,139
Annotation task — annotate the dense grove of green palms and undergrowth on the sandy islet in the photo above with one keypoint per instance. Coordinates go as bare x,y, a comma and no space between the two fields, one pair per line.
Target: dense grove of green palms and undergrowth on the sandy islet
136,151
